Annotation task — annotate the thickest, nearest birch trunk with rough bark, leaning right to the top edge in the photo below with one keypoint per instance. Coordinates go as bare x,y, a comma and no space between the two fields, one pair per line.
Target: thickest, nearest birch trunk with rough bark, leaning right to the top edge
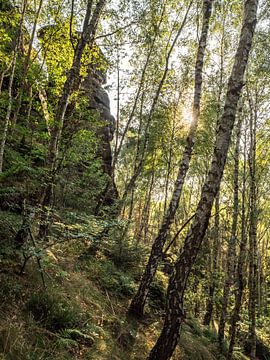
175,314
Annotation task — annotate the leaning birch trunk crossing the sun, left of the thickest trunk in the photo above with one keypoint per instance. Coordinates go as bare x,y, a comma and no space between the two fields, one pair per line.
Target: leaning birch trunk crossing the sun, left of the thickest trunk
138,302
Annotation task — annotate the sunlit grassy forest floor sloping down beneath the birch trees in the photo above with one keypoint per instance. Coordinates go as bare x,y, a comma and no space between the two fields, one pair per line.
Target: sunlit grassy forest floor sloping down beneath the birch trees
82,312
